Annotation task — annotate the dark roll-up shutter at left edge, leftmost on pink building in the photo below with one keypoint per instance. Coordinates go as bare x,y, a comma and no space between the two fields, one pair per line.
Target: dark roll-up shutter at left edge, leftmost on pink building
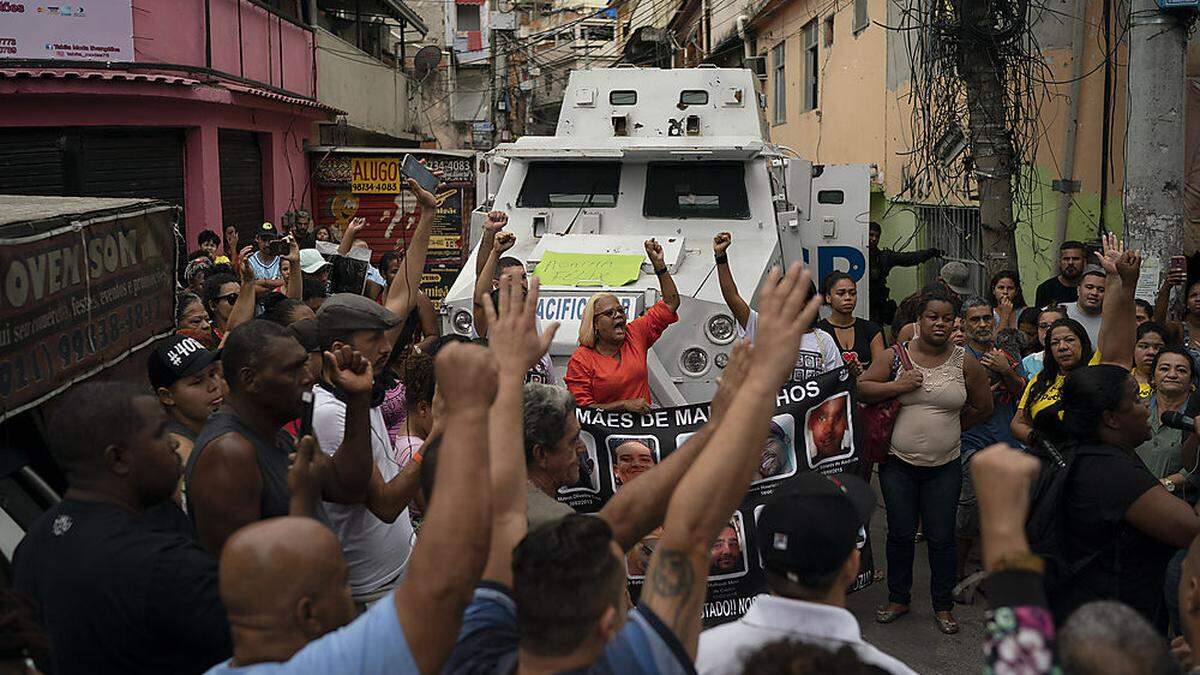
32,162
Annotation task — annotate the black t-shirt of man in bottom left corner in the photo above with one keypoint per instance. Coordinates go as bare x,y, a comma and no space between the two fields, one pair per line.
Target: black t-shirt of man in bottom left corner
118,594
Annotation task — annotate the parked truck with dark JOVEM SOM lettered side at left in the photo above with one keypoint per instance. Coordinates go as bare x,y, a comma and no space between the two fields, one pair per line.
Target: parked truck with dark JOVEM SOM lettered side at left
87,286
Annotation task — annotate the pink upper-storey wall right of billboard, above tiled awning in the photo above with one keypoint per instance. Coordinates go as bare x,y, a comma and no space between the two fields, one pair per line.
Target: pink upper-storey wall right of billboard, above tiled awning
172,32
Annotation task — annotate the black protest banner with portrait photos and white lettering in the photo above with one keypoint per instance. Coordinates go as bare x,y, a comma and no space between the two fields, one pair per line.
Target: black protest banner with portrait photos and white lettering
813,429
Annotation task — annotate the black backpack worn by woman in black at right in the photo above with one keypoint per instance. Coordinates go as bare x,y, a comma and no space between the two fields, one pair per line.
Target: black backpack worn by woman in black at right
1047,525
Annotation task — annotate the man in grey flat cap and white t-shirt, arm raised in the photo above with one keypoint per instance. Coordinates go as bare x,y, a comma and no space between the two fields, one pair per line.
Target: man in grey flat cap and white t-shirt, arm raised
377,535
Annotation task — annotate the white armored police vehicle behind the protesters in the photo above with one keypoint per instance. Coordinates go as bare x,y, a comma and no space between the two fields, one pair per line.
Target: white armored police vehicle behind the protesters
679,156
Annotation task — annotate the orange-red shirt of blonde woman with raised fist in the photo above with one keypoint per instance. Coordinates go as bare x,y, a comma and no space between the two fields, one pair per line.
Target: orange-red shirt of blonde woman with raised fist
597,379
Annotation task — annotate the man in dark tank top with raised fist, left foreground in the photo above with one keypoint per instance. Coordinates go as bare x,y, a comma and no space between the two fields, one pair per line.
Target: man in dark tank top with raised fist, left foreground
238,471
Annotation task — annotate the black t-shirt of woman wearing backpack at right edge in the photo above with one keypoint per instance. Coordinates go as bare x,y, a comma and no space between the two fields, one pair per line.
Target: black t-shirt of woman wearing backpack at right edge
1130,568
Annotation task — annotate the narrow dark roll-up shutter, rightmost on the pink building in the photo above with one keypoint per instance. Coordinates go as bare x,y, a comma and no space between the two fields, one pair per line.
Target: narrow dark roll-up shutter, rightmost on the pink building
242,182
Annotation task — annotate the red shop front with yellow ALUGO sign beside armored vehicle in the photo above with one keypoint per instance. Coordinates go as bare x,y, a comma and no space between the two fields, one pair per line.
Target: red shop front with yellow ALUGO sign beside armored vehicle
367,183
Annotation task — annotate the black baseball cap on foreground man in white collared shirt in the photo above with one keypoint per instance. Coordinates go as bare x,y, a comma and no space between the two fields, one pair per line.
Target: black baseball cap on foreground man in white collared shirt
813,524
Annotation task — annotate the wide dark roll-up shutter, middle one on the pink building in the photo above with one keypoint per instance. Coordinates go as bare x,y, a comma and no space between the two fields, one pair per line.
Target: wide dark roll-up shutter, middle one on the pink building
131,163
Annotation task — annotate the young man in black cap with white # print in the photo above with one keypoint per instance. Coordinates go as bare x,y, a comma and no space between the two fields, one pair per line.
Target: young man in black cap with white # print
187,378
